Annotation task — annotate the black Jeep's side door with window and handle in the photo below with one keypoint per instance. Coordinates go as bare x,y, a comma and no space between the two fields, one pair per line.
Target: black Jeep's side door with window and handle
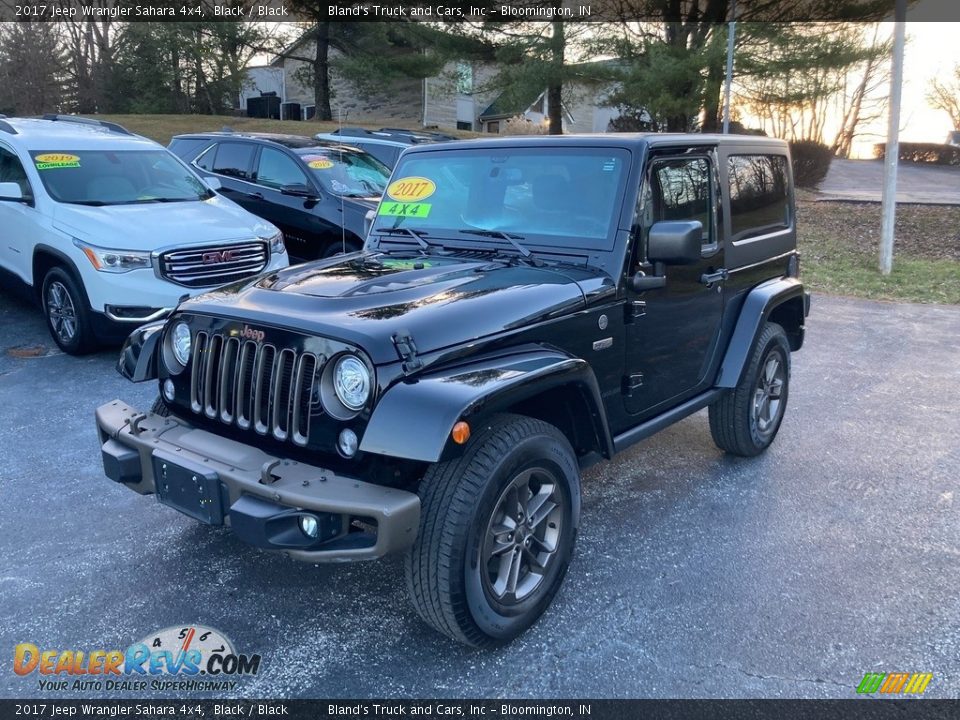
672,332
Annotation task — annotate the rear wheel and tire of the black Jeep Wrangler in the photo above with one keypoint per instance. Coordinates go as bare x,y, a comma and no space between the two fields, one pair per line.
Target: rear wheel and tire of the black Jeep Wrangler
745,420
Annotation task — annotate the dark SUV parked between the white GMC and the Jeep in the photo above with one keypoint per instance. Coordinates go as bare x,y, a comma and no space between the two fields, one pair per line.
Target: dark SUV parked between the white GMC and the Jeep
317,193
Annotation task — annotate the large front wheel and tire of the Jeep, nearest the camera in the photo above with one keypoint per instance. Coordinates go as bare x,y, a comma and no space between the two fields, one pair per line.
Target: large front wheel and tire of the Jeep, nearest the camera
463,503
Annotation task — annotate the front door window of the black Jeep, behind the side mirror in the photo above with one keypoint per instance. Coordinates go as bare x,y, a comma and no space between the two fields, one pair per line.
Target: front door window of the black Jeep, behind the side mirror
680,189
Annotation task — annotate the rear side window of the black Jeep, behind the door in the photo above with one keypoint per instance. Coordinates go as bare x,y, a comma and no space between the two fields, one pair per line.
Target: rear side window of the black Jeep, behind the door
759,195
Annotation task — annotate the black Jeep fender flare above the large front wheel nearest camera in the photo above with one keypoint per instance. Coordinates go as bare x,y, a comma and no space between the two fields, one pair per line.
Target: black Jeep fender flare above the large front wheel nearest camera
414,418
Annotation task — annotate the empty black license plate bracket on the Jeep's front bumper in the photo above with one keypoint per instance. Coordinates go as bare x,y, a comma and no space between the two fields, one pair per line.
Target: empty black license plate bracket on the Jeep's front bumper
188,487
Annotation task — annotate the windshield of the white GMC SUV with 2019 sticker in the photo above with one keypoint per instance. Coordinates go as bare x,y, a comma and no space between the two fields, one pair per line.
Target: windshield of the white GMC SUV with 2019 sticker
117,177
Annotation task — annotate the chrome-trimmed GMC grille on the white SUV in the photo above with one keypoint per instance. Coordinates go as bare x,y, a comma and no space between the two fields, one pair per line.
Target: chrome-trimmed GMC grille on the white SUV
208,266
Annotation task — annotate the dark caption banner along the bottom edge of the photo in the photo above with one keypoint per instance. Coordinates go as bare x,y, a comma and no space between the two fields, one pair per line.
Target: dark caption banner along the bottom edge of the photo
873,709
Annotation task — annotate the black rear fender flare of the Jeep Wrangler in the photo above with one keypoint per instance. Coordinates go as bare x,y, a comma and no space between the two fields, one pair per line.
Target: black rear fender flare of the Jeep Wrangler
755,311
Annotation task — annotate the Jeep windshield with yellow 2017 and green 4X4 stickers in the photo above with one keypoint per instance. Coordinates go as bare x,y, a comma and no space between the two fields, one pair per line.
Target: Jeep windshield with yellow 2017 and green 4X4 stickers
554,195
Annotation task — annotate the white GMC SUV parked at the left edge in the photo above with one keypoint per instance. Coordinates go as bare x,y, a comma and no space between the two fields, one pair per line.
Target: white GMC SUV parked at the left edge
110,230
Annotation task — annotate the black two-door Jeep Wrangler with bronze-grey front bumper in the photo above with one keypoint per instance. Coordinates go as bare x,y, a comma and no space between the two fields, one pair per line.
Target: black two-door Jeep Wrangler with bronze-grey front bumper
521,309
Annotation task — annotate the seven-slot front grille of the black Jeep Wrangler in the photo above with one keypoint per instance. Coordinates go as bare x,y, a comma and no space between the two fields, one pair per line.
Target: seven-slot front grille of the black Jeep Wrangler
253,385
